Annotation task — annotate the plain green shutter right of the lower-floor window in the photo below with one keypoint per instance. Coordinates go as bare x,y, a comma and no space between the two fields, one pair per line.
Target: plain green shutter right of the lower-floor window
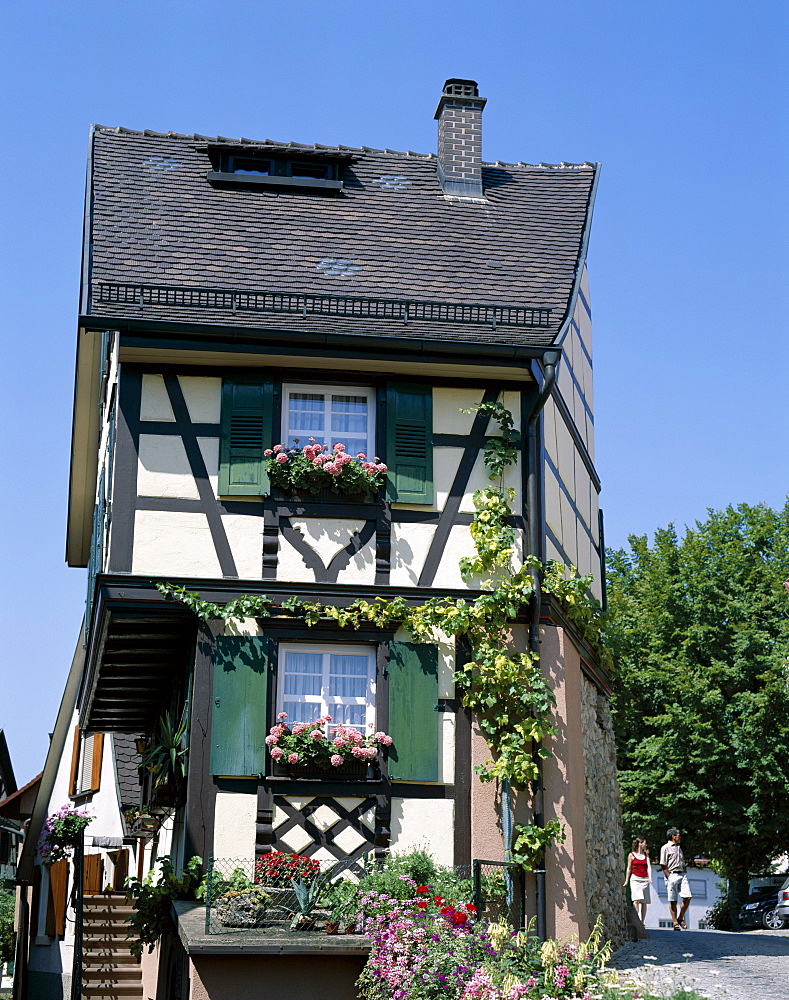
413,719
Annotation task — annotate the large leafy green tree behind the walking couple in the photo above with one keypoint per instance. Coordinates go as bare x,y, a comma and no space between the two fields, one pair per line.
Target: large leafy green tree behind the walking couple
699,631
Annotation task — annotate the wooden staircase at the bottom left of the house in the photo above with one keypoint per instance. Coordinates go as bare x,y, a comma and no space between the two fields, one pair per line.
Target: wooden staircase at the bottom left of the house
109,971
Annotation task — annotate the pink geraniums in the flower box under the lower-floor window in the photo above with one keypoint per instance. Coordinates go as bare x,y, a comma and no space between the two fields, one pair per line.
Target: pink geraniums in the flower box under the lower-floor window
314,748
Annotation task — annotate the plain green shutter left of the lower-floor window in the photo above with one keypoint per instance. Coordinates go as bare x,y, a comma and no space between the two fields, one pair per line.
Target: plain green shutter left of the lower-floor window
238,723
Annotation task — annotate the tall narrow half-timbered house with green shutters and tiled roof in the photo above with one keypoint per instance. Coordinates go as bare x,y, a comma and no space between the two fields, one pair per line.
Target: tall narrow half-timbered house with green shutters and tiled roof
237,294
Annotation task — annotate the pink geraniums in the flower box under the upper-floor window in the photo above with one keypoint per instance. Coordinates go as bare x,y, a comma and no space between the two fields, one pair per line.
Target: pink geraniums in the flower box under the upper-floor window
315,470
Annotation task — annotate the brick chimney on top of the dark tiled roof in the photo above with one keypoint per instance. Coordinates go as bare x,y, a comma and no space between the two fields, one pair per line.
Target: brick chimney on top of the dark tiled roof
459,115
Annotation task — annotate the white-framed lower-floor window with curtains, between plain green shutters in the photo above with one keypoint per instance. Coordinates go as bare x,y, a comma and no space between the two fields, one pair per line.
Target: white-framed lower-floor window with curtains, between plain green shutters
327,680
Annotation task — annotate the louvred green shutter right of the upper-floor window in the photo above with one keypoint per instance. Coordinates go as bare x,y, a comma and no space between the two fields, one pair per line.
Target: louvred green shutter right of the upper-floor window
409,442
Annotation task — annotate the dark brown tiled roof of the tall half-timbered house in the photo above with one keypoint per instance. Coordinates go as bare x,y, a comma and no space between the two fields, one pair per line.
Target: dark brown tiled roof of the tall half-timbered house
390,234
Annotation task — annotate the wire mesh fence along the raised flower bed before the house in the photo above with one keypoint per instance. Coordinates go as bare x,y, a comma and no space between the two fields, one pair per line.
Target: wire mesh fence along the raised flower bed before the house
281,892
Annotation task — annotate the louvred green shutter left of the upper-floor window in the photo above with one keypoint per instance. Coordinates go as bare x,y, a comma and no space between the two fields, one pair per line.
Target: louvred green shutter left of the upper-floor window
246,432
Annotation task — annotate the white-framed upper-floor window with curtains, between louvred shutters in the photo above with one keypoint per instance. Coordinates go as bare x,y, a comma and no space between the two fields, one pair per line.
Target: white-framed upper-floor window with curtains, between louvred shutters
330,414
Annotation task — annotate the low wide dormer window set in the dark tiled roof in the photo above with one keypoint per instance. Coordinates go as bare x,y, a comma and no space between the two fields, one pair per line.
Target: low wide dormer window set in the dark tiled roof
250,169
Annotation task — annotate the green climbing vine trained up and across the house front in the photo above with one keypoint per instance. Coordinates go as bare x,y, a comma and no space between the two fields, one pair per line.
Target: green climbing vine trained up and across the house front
511,700
